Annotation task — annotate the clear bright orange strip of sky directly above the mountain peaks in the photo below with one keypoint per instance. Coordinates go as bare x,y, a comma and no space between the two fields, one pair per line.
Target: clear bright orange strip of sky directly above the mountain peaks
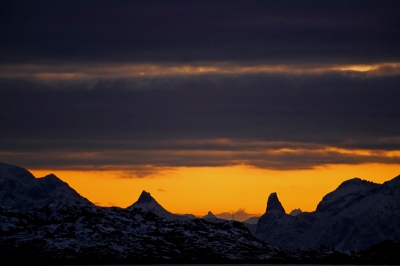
197,190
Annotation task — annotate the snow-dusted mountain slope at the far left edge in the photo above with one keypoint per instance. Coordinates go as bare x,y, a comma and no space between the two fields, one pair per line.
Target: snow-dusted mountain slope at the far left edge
20,189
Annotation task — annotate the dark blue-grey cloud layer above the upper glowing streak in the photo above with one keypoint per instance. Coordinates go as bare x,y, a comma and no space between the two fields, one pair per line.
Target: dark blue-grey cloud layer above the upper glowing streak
185,31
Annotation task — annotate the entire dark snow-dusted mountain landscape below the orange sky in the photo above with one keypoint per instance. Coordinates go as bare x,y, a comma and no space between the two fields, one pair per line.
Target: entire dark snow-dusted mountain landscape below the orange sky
47,212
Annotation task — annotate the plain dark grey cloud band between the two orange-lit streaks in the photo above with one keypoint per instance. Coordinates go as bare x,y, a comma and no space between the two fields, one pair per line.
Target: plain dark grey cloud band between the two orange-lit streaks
331,109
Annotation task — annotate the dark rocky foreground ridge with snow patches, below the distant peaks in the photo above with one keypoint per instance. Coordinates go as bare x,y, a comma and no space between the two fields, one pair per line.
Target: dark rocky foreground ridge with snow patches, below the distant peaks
78,234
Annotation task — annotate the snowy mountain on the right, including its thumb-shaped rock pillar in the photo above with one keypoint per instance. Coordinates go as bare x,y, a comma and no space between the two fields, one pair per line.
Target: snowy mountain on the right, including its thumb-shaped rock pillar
355,216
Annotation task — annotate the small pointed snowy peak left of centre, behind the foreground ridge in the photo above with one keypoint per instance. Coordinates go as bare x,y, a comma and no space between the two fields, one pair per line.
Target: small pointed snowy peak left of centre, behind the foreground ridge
147,203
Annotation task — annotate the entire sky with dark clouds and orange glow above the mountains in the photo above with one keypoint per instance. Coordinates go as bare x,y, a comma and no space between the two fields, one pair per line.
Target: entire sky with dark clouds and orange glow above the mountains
207,105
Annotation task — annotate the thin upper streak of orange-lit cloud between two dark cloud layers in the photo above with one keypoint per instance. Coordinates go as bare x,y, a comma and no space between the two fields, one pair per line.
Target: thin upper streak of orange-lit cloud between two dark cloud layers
100,71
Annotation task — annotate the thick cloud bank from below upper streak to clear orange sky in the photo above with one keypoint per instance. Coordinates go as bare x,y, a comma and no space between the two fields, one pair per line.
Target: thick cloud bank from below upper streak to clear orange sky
265,120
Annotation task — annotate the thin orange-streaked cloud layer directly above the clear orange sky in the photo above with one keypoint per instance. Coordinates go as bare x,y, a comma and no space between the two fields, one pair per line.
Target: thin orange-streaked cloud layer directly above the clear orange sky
139,163
